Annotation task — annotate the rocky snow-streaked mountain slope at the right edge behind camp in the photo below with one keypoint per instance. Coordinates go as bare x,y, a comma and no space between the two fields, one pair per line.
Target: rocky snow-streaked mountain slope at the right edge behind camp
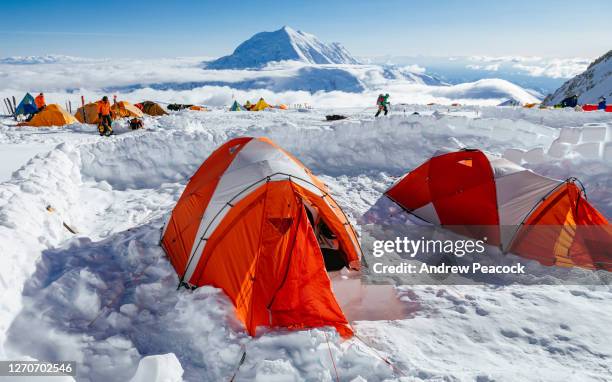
588,86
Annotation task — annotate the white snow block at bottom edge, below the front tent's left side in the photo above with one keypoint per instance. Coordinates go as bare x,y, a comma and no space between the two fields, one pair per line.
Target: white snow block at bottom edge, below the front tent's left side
159,368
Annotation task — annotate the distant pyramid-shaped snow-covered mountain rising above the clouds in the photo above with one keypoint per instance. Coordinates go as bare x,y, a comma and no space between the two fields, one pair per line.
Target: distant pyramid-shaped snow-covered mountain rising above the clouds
285,44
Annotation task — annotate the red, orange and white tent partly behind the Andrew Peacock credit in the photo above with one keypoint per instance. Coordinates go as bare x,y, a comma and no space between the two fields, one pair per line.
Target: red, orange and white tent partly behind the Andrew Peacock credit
530,215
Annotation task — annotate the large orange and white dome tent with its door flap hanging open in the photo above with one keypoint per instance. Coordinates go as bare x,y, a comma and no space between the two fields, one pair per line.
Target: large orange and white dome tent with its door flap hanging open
256,223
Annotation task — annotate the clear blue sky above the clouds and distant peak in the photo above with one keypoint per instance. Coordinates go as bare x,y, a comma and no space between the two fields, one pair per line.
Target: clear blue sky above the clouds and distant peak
155,28
